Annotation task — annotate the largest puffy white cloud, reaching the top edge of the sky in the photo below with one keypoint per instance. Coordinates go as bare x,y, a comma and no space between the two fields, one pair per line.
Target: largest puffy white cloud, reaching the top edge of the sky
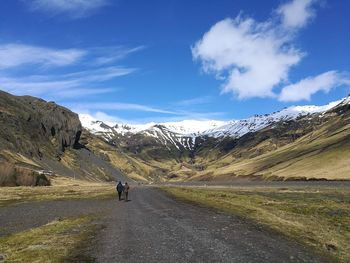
254,58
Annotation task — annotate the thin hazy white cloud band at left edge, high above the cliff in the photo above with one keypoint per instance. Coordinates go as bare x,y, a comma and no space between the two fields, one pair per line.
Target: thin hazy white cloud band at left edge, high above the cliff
14,55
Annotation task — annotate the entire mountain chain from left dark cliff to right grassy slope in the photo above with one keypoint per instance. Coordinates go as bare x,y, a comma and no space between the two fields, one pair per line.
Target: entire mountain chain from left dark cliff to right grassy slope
299,143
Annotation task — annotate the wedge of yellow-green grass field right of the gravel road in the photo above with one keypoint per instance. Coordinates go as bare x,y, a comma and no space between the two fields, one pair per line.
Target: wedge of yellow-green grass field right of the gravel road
316,217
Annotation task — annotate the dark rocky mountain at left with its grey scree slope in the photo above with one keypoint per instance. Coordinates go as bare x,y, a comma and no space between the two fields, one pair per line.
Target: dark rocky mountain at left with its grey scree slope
36,135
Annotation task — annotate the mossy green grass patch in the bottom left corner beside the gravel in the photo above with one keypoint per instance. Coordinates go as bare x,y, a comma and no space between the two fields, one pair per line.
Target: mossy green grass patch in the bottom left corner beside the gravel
57,241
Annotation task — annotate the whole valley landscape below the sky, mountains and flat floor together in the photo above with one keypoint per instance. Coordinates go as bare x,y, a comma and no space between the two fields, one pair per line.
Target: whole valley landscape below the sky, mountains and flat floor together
248,190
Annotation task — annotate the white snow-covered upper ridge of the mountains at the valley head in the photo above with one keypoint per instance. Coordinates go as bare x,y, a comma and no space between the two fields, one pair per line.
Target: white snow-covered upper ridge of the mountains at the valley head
183,134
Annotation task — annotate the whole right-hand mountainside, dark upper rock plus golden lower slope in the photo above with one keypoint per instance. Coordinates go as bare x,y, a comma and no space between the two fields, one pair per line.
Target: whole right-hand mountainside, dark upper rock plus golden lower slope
315,146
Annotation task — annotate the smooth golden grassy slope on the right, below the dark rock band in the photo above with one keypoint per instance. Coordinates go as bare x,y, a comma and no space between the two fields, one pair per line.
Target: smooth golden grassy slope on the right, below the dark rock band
323,153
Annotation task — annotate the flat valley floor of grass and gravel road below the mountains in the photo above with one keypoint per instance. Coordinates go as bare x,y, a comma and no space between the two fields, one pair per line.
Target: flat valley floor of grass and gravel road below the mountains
266,223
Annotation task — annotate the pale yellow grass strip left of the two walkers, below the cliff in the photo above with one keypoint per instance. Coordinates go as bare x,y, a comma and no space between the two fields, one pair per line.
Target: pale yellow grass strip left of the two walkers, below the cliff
62,188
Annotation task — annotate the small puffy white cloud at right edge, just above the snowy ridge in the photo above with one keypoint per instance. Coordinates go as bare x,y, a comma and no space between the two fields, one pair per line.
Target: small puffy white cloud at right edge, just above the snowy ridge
303,89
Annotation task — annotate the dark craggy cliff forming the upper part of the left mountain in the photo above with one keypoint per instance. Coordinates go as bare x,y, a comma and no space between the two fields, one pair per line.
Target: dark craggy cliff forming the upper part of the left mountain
35,127
